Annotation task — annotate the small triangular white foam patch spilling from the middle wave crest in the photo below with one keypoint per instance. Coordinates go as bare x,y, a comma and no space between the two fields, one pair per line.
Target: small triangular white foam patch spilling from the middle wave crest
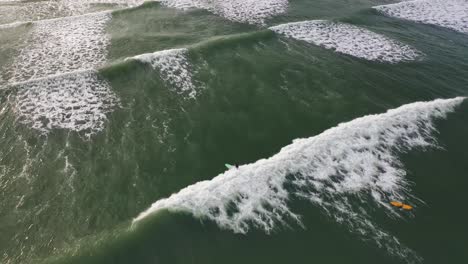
174,68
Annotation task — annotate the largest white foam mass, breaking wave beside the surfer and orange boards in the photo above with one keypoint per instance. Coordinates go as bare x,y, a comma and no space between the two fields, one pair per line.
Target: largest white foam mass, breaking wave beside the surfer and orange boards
344,170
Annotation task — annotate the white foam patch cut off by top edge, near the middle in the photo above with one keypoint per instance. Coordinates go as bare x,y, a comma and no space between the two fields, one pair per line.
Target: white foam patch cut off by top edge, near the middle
244,11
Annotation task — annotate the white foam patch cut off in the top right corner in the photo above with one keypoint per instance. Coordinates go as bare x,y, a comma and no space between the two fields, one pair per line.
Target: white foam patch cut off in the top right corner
451,14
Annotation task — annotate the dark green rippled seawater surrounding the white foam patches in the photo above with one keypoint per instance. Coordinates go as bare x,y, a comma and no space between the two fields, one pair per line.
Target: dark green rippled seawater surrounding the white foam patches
71,197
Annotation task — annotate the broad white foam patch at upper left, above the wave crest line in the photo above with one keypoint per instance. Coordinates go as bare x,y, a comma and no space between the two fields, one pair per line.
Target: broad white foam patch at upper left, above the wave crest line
62,45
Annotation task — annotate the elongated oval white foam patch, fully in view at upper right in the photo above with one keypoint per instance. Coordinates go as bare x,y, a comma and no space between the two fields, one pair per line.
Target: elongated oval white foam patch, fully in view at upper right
349,39
